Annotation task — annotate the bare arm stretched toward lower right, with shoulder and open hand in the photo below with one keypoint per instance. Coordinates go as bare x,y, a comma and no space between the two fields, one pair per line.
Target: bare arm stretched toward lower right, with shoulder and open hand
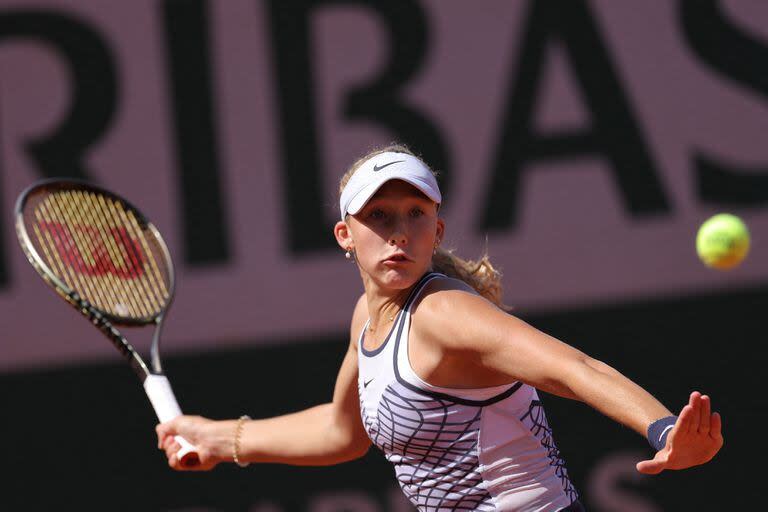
469,328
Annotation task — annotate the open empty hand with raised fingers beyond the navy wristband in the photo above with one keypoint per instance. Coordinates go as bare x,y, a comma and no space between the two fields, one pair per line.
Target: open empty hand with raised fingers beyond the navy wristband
694,440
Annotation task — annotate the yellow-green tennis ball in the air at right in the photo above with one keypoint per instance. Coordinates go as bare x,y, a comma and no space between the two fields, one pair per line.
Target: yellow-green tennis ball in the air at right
722,241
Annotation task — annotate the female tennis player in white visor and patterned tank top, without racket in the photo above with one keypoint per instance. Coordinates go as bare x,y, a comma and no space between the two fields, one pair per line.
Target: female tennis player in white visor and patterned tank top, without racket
439,377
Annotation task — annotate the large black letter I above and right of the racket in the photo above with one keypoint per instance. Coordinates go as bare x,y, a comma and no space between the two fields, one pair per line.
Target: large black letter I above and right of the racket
206,237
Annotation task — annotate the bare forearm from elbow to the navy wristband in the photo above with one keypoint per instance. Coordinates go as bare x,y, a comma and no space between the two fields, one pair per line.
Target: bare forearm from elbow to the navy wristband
602,387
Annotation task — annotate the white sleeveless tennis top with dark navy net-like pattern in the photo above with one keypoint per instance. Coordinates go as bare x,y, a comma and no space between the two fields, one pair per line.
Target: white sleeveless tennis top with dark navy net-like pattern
458,449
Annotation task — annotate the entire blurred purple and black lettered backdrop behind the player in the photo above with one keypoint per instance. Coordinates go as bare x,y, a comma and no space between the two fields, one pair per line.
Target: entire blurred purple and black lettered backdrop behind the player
580,143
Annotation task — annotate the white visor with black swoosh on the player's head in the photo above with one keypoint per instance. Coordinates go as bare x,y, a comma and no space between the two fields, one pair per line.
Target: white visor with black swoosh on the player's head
379,169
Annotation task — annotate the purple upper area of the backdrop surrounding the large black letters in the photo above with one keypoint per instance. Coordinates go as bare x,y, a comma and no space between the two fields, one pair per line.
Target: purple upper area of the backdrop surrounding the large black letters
575,241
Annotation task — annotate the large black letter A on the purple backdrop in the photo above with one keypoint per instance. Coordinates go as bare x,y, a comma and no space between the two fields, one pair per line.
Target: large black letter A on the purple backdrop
614,134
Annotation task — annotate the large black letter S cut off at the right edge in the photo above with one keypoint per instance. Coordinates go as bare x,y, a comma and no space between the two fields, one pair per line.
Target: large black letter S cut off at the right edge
742,59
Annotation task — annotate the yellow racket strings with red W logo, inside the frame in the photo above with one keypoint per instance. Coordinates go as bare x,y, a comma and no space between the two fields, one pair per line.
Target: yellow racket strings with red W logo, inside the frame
98,248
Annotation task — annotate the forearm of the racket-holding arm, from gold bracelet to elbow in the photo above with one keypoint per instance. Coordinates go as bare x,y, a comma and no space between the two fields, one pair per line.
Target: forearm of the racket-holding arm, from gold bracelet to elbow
307,438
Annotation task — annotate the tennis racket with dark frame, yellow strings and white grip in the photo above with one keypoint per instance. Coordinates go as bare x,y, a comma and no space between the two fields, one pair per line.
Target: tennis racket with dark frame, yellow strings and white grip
110,263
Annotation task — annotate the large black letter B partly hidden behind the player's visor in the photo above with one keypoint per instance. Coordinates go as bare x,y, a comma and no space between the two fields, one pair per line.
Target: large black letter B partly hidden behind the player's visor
377,102
